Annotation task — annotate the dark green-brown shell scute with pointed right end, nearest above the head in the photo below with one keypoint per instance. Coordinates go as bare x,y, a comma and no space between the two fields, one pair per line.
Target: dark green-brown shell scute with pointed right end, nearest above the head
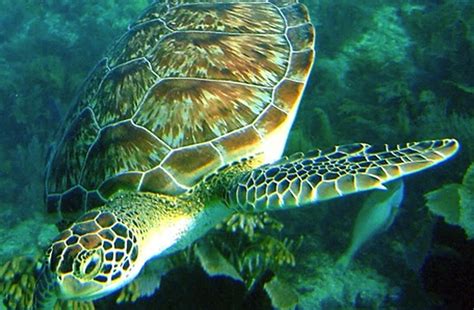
121,148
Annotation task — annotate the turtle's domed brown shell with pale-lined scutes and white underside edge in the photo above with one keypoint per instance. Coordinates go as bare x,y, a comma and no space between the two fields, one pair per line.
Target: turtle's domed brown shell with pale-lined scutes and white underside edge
190,87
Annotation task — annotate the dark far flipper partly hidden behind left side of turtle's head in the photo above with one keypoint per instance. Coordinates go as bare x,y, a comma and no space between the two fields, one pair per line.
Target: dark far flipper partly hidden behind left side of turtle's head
46,290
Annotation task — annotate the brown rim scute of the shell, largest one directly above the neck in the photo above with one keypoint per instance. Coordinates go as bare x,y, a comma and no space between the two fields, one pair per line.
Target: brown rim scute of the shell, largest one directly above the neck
191,164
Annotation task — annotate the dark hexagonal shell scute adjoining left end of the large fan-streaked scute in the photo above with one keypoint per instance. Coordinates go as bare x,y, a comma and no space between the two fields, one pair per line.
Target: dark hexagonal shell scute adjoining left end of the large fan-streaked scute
122,89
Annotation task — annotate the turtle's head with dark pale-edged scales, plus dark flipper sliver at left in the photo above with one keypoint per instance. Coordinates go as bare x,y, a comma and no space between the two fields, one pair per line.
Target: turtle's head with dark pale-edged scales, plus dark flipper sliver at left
95,256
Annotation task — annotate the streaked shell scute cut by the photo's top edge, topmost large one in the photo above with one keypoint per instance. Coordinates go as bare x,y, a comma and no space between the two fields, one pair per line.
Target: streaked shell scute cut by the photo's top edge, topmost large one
260,18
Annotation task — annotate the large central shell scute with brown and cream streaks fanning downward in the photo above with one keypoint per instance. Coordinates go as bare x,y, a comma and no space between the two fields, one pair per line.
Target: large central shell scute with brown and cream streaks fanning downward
187,111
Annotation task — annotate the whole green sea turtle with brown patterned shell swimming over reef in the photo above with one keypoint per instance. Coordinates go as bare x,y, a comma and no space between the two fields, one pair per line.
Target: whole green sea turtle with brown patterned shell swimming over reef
184,122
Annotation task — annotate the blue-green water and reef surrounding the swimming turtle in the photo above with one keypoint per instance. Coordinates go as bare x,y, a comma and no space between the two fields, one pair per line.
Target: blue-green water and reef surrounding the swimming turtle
385,72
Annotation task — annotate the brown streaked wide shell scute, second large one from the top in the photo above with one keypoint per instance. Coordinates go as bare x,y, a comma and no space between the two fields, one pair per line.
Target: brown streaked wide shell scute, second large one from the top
251,59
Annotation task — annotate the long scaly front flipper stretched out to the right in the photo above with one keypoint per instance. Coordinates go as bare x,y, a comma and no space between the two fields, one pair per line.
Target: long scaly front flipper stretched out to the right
304,179
